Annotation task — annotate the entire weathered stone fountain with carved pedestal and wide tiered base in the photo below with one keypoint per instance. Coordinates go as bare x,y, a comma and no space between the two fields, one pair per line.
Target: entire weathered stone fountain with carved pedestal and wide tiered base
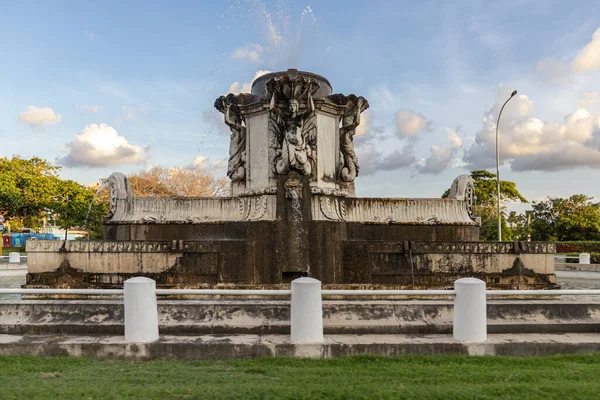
292,212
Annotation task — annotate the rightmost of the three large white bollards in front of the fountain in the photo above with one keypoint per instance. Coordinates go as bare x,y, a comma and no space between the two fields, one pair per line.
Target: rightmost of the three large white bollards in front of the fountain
470,314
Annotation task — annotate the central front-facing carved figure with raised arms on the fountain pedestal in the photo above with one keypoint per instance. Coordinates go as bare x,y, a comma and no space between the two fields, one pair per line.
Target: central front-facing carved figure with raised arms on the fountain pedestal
292,124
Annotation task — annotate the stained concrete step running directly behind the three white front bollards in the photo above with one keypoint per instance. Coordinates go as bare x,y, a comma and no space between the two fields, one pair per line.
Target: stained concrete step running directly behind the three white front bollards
199,317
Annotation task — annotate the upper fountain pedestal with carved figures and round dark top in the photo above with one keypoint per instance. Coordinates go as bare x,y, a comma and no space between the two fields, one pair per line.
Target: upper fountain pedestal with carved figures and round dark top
291,122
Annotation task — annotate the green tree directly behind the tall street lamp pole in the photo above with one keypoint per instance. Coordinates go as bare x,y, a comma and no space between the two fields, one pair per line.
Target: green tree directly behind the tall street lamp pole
486,204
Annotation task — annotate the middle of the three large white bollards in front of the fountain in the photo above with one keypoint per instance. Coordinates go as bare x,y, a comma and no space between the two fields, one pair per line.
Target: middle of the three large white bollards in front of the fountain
307,311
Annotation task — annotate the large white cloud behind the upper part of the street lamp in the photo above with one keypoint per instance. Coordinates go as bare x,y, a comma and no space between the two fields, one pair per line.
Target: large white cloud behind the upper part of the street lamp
528,143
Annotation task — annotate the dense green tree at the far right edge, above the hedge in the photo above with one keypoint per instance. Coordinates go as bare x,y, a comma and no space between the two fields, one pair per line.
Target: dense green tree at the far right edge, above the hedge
573,218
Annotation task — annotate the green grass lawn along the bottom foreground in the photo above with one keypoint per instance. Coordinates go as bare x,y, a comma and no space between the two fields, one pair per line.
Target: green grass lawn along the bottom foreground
364,377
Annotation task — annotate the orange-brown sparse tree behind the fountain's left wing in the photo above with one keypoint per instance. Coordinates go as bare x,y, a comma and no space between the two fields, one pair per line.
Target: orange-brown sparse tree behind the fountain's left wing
179,182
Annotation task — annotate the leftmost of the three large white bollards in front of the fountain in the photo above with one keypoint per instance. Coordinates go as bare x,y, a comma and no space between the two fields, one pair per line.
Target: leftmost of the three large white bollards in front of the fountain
141,312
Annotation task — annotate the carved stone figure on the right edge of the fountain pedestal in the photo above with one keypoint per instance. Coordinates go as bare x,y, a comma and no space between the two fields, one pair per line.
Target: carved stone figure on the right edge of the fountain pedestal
350,121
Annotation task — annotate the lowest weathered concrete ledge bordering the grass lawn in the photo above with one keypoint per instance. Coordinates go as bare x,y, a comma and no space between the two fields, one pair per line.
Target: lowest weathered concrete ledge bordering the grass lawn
251,346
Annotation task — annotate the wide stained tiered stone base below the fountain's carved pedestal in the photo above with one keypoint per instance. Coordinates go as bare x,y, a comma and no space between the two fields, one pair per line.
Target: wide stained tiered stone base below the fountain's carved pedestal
343,242
